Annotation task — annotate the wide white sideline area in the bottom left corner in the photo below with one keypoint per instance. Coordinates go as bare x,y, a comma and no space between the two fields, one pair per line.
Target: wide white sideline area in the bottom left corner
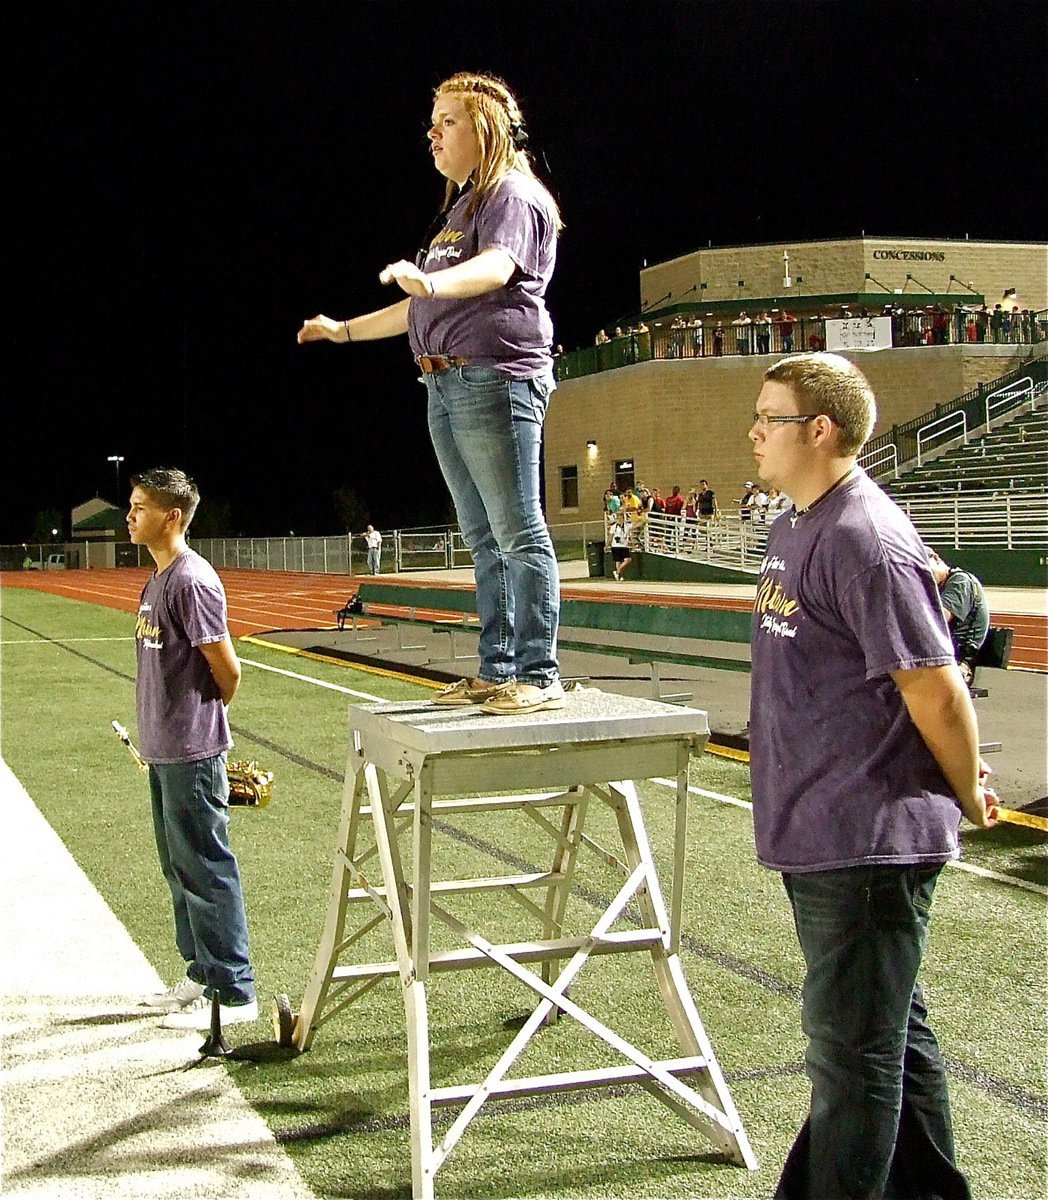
98,1101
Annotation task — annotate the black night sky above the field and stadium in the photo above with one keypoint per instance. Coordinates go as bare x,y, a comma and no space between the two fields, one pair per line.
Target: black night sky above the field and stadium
193,179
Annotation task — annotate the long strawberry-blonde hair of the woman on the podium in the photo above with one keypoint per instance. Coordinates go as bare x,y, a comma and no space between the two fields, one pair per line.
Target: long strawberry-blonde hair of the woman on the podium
499,125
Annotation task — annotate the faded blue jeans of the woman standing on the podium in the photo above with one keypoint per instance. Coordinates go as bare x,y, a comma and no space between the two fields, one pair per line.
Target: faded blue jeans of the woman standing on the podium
488,431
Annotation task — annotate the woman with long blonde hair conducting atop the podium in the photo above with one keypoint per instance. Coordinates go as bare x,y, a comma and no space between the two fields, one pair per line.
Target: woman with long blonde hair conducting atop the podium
481,334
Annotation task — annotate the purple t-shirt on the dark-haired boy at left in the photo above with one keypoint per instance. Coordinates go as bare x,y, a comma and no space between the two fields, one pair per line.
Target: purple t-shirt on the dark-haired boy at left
181,715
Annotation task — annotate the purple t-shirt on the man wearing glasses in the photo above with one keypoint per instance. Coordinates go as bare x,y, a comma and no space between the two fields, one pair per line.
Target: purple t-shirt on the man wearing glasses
841,776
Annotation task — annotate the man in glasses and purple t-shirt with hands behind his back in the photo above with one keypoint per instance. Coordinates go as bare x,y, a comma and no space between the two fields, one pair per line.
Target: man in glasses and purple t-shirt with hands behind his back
865,755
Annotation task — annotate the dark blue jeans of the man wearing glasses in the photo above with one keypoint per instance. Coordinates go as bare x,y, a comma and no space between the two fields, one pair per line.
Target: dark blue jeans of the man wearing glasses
881,1121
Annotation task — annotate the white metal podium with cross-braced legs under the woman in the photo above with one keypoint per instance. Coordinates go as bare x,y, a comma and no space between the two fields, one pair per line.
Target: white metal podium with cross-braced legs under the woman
412,765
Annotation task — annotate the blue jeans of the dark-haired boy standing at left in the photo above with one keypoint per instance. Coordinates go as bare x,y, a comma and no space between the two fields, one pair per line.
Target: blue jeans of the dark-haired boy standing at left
191,820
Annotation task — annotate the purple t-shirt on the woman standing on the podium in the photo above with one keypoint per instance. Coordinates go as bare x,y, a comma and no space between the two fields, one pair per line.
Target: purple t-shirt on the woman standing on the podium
508,328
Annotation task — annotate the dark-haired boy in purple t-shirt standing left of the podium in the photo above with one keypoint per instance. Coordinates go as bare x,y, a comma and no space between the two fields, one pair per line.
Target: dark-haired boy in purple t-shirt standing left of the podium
188,676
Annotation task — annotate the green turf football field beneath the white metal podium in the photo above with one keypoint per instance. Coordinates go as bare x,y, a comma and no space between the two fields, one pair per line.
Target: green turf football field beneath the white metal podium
342,1111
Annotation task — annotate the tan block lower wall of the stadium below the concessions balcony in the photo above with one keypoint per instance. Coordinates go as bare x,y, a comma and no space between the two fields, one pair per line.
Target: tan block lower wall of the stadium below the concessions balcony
681,421
